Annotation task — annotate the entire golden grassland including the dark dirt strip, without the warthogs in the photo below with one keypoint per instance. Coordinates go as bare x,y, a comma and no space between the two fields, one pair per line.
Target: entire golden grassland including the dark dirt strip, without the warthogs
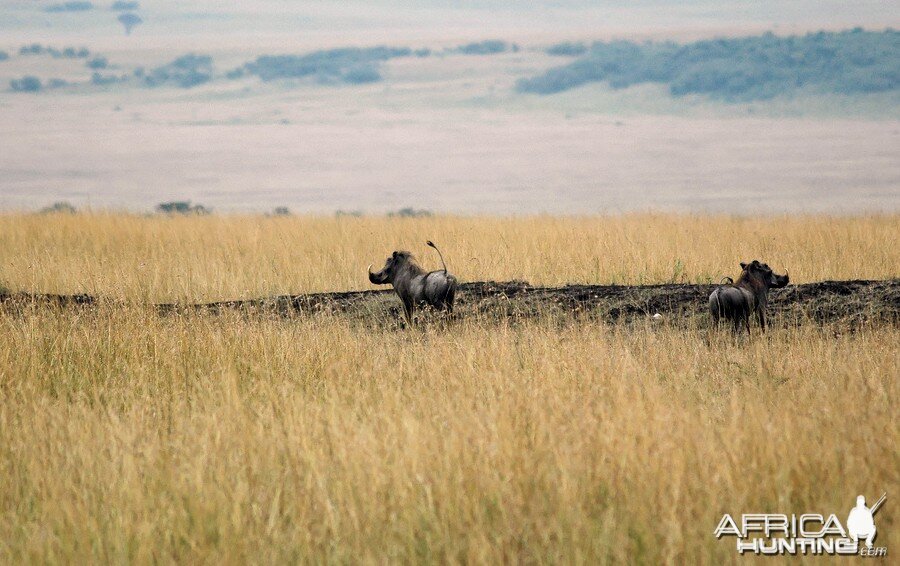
233,389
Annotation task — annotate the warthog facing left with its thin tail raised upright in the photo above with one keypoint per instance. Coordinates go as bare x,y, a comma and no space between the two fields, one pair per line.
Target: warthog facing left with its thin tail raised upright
414,285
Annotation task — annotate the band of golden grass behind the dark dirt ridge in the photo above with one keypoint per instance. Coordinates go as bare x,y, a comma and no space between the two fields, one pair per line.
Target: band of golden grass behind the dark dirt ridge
213,258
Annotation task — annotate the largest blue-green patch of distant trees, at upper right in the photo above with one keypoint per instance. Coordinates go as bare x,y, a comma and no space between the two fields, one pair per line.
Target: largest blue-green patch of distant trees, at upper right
738,69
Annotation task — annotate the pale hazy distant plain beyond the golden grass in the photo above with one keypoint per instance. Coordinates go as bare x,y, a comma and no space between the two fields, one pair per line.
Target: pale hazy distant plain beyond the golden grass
449,132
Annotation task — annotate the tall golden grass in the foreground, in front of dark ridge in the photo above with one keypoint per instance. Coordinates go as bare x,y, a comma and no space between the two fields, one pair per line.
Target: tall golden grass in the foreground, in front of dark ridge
128,437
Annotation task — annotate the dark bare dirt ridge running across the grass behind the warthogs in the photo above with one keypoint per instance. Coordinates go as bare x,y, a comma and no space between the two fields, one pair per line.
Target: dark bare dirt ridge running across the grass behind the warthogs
851,303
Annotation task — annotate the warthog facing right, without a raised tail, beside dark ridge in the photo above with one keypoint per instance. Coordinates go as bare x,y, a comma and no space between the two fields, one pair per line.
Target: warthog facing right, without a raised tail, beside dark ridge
750,294
